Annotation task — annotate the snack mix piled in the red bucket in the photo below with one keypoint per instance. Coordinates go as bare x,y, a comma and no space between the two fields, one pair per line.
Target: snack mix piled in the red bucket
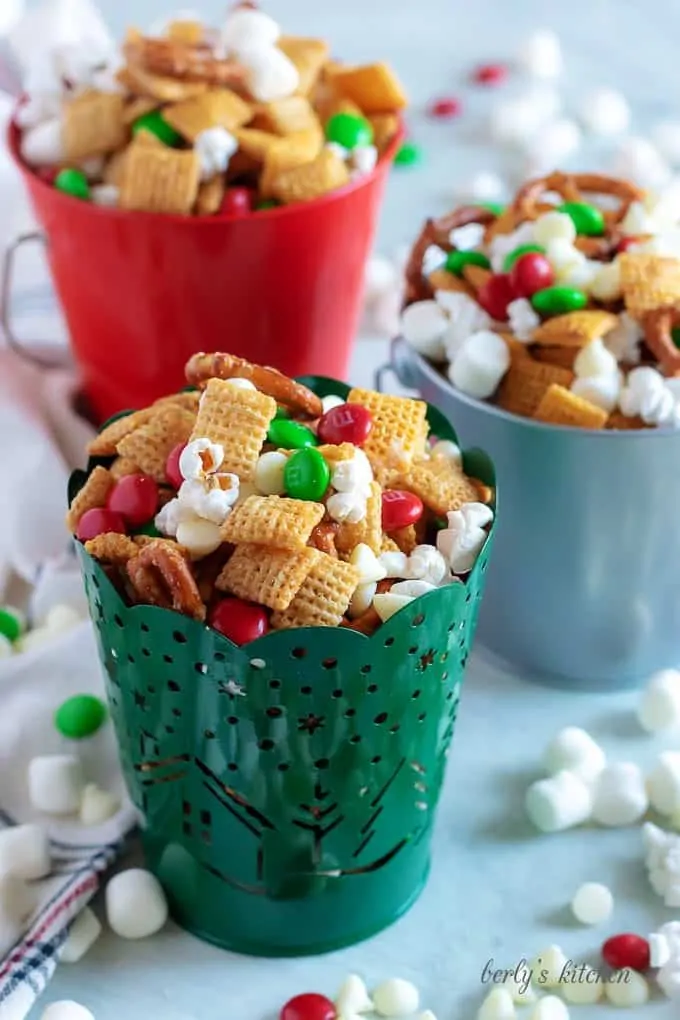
205,123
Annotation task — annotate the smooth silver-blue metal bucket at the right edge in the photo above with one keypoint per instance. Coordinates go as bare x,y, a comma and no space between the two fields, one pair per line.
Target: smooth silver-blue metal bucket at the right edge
584,588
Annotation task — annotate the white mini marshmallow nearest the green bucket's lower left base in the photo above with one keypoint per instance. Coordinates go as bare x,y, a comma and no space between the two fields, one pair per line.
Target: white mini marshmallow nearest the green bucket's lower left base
136,904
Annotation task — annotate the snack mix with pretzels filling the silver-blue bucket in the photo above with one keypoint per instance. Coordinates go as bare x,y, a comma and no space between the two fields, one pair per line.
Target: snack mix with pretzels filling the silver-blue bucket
564,308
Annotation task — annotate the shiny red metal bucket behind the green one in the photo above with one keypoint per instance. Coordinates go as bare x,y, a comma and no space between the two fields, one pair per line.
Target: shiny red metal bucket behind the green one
142,292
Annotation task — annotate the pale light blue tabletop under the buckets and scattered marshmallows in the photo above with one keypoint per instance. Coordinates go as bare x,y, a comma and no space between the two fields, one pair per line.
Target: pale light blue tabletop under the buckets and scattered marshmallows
496,890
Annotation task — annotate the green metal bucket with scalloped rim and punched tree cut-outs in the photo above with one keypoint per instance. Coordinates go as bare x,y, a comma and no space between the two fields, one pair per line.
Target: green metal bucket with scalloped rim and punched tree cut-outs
288,788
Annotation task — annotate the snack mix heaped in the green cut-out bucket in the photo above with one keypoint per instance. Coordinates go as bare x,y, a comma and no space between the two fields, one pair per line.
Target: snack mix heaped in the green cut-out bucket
253,504
